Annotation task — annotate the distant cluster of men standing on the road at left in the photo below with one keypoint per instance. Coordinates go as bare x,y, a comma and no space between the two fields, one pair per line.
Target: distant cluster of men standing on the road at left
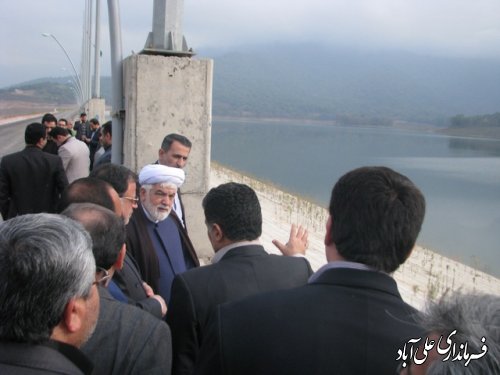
32,180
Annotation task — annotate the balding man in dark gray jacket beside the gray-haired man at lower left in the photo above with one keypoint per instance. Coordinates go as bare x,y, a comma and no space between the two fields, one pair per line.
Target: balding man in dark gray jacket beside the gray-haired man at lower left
126,340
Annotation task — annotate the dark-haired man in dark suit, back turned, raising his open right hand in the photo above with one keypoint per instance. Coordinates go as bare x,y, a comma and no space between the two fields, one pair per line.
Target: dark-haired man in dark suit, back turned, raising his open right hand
241,267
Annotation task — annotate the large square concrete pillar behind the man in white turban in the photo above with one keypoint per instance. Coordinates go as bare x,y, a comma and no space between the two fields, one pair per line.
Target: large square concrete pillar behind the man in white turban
166,94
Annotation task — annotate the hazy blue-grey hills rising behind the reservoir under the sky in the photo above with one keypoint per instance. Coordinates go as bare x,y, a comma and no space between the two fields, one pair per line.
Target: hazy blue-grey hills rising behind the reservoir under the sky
341,84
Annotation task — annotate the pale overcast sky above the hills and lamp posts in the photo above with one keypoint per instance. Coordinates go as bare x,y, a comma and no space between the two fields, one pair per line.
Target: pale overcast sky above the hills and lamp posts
469,28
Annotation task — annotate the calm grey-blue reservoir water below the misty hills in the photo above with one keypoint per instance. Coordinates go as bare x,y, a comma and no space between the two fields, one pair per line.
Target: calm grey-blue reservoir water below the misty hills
460,177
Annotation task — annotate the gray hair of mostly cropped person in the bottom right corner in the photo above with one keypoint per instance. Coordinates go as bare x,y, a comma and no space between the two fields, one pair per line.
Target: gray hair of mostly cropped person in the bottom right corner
473,316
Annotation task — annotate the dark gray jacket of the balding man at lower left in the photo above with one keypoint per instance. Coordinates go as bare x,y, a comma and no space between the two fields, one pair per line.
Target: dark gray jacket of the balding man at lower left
128,340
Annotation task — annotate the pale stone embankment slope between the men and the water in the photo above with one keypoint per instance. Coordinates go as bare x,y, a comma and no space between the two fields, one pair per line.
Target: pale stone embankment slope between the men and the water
425,275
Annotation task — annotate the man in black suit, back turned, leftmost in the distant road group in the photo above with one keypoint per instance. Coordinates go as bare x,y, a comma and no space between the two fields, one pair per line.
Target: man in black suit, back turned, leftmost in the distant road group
31,181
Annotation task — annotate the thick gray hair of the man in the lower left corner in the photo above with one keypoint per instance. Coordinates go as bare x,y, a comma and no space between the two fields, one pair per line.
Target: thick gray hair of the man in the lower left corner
45,260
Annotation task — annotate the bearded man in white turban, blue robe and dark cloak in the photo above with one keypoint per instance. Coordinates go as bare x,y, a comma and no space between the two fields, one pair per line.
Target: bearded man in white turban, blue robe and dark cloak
155,237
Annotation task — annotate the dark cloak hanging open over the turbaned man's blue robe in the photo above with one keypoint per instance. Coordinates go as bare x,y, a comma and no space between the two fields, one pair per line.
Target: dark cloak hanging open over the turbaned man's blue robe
141,247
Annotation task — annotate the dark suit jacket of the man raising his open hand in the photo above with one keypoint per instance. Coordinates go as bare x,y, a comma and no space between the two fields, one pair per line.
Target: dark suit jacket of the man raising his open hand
242,272
